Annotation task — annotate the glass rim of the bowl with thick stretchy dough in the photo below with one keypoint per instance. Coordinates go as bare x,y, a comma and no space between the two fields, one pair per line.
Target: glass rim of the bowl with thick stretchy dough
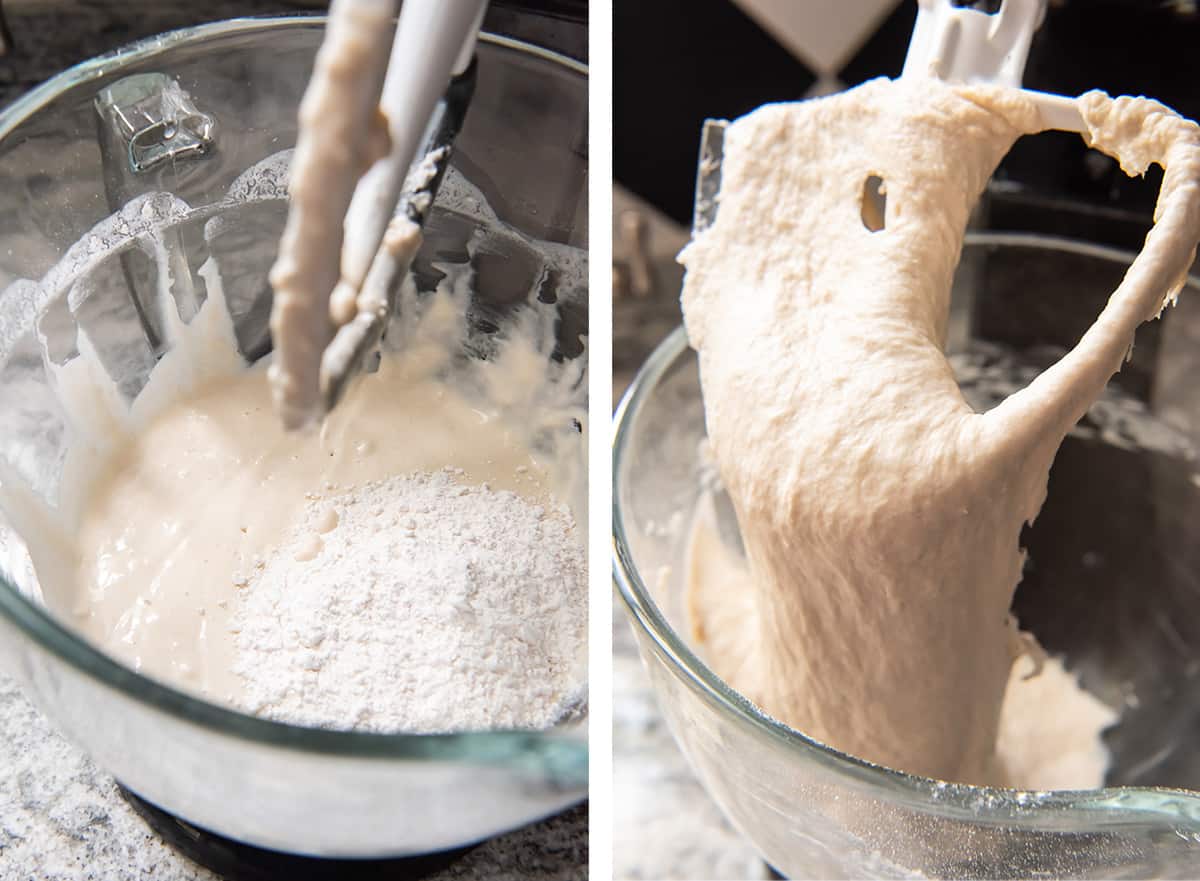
920,794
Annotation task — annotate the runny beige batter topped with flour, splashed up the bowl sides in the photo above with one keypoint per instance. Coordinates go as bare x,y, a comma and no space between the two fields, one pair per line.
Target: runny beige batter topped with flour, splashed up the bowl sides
413,566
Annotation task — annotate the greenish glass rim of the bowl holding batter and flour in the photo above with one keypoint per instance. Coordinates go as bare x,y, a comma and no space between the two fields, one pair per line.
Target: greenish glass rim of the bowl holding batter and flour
561,751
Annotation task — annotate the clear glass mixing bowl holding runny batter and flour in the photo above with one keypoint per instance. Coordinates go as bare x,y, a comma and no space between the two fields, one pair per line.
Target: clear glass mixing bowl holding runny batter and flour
190,127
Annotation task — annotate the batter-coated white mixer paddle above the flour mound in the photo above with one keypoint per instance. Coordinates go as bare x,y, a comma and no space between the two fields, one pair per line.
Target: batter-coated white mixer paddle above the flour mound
404,139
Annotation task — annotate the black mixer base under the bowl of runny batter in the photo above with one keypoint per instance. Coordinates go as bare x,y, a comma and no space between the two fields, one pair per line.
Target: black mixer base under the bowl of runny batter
235,861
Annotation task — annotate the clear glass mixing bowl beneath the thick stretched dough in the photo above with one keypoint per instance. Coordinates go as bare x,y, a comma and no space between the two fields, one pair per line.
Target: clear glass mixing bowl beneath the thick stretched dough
1112,585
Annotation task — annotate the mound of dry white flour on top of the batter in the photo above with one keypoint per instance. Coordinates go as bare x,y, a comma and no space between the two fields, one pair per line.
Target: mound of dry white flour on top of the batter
418,604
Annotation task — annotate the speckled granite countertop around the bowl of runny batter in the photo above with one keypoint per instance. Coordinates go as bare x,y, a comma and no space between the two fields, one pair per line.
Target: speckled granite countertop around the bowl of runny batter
62,818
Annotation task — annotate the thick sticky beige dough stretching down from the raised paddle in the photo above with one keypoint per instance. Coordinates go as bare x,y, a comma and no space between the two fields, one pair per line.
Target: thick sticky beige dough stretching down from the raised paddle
881,516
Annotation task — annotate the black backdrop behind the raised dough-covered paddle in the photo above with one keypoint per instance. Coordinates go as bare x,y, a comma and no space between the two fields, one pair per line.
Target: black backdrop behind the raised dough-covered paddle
677,62
